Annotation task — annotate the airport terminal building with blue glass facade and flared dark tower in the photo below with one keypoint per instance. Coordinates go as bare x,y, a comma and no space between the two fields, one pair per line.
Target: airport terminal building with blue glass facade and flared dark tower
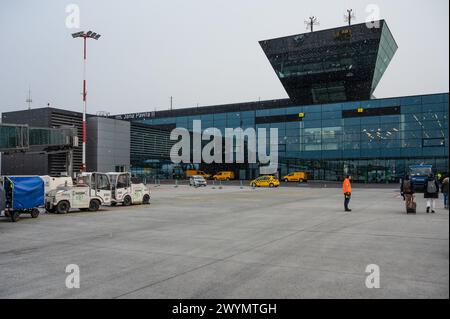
330,126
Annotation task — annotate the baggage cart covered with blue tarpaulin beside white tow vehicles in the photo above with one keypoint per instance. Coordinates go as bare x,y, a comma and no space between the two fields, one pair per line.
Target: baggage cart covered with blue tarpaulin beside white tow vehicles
23,194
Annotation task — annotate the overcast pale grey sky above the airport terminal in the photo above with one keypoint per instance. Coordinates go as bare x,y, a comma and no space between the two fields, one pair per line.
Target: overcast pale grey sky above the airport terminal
199,51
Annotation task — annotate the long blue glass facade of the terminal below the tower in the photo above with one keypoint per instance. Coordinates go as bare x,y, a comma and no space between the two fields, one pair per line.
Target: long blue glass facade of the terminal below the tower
374,140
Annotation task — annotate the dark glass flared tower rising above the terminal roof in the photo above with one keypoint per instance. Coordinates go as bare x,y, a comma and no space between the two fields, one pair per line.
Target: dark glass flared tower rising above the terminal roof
335,65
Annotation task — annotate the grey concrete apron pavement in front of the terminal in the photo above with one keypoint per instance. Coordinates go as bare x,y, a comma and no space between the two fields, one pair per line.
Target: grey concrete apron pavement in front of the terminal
232,243
